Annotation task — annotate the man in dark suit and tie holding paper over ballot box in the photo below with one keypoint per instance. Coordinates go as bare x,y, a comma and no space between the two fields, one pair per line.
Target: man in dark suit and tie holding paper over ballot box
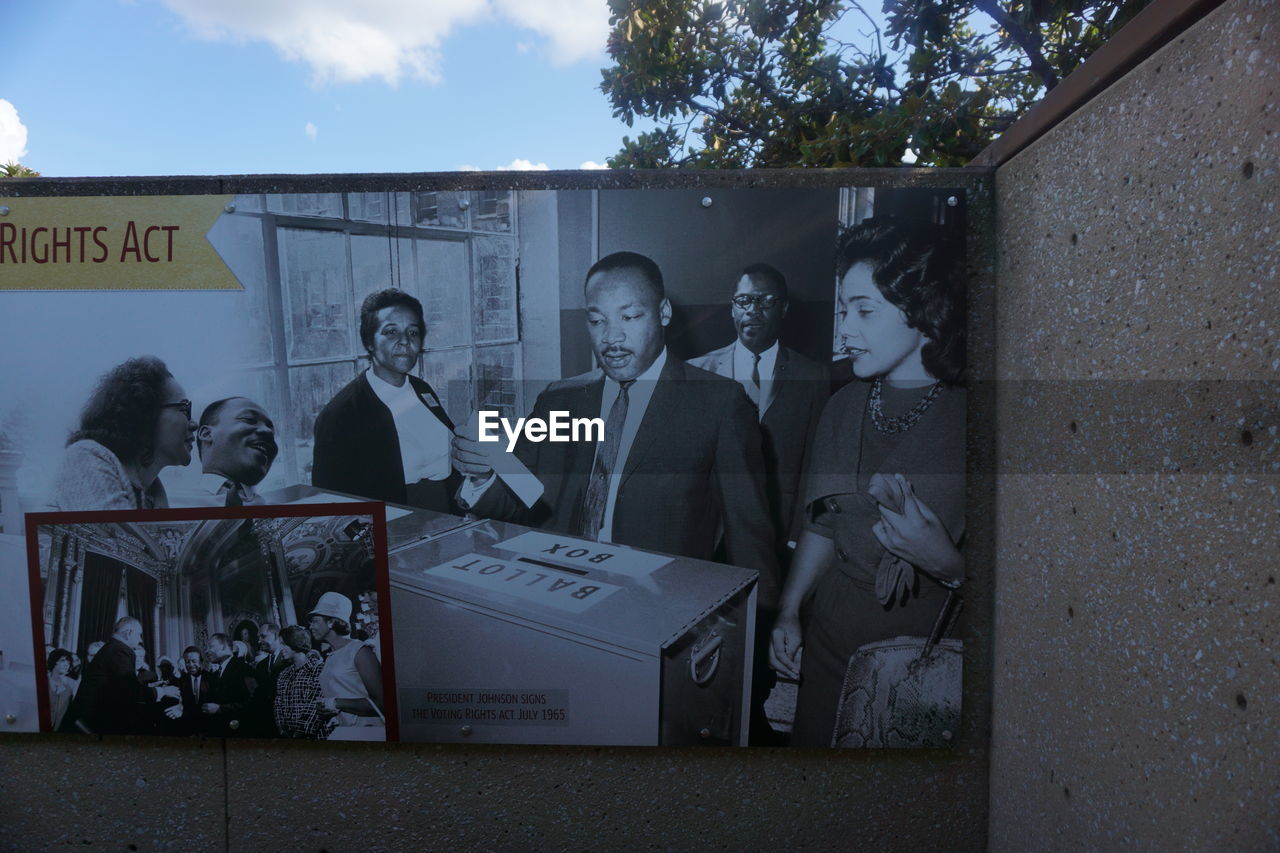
680,462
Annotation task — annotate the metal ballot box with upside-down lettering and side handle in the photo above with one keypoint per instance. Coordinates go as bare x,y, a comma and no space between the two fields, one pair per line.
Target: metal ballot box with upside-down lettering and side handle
506,635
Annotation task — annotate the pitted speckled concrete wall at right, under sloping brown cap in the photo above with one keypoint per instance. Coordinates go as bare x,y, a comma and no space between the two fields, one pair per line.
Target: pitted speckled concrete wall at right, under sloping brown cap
1137,690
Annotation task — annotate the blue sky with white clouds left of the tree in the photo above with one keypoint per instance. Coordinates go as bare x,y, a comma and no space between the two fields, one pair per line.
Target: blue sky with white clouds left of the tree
118,88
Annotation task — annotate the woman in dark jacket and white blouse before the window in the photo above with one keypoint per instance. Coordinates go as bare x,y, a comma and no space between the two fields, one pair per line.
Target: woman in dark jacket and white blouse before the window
386,436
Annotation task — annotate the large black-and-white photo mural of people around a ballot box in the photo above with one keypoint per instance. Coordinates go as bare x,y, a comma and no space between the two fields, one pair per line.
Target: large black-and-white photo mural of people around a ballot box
660,467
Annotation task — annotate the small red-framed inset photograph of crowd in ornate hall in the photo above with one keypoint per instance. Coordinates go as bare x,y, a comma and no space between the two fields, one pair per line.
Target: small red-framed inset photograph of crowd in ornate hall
172,623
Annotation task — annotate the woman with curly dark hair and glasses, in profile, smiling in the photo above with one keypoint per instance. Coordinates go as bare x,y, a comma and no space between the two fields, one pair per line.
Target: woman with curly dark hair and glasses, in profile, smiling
136,423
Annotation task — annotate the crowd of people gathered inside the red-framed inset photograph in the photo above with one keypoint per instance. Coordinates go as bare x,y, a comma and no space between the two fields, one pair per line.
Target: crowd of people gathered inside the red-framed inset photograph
314,682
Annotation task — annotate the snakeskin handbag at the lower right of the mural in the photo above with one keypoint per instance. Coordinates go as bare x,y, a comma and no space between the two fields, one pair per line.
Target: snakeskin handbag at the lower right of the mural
904,692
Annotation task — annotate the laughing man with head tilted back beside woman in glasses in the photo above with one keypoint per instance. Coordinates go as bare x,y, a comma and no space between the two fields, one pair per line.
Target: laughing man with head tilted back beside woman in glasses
236,441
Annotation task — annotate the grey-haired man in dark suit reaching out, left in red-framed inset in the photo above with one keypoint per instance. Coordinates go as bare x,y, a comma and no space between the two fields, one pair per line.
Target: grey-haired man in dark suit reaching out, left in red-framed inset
112,695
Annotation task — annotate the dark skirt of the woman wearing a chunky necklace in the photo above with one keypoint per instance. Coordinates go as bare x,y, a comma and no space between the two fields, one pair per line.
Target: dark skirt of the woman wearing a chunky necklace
845,615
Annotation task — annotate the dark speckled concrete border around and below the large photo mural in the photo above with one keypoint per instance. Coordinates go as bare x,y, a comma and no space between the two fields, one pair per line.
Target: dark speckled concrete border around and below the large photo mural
371,797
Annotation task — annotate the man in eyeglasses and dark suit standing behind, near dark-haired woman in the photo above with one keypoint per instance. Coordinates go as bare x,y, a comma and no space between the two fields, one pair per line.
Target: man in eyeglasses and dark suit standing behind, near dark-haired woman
788,389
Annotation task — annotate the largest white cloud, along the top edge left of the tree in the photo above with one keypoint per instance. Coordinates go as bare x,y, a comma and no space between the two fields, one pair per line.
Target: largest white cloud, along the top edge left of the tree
355,40
